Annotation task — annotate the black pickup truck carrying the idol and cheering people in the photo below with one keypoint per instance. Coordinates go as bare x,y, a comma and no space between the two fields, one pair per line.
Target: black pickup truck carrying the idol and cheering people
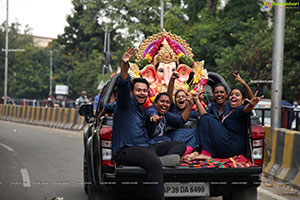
103,180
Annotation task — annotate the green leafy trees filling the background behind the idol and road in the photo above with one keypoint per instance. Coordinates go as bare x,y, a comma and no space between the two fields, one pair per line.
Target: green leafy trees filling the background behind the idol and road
235,38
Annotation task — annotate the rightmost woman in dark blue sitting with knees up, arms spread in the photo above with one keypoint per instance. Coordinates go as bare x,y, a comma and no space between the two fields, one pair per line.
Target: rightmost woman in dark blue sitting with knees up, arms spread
225,138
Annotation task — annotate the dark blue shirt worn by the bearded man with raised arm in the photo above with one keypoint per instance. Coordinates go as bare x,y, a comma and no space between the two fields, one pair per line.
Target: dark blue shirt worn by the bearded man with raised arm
128,122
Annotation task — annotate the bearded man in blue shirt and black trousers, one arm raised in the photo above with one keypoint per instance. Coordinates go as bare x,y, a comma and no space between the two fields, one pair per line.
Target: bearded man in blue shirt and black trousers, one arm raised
130,142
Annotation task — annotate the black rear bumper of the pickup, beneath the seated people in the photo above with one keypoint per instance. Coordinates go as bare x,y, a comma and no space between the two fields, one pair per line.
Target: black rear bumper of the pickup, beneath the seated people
220,181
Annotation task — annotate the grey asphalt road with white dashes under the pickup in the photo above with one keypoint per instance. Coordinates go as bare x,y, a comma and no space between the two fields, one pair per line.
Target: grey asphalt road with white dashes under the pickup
38,163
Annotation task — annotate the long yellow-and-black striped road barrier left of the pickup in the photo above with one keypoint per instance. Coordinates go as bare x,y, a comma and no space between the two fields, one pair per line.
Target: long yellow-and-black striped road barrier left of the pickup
63,118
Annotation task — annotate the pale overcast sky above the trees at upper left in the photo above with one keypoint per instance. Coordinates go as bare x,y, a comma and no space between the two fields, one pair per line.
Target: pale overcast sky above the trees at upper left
46,17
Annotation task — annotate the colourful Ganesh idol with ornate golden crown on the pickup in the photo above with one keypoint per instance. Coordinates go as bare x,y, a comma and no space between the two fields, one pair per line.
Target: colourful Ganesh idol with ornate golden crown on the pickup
159,56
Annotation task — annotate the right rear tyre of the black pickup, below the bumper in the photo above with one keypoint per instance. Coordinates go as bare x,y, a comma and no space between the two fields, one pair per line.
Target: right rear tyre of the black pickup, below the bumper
245,194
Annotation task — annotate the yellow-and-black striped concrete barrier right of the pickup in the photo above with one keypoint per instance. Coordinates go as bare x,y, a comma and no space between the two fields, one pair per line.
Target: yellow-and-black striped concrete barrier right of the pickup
285,160
